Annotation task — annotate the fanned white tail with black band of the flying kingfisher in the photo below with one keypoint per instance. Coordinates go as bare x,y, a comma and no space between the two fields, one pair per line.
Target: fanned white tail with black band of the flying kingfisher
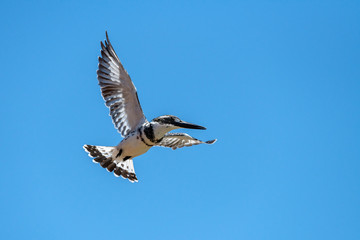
104,156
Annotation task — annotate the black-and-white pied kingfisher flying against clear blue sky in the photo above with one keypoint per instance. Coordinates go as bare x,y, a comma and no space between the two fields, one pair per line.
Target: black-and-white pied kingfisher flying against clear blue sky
139,135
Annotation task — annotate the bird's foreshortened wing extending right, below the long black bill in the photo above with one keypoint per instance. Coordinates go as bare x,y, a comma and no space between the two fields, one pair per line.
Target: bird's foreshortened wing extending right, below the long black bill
179,140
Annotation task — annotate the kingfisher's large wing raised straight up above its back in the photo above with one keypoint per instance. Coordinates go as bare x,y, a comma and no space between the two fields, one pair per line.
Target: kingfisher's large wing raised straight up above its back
118,91
